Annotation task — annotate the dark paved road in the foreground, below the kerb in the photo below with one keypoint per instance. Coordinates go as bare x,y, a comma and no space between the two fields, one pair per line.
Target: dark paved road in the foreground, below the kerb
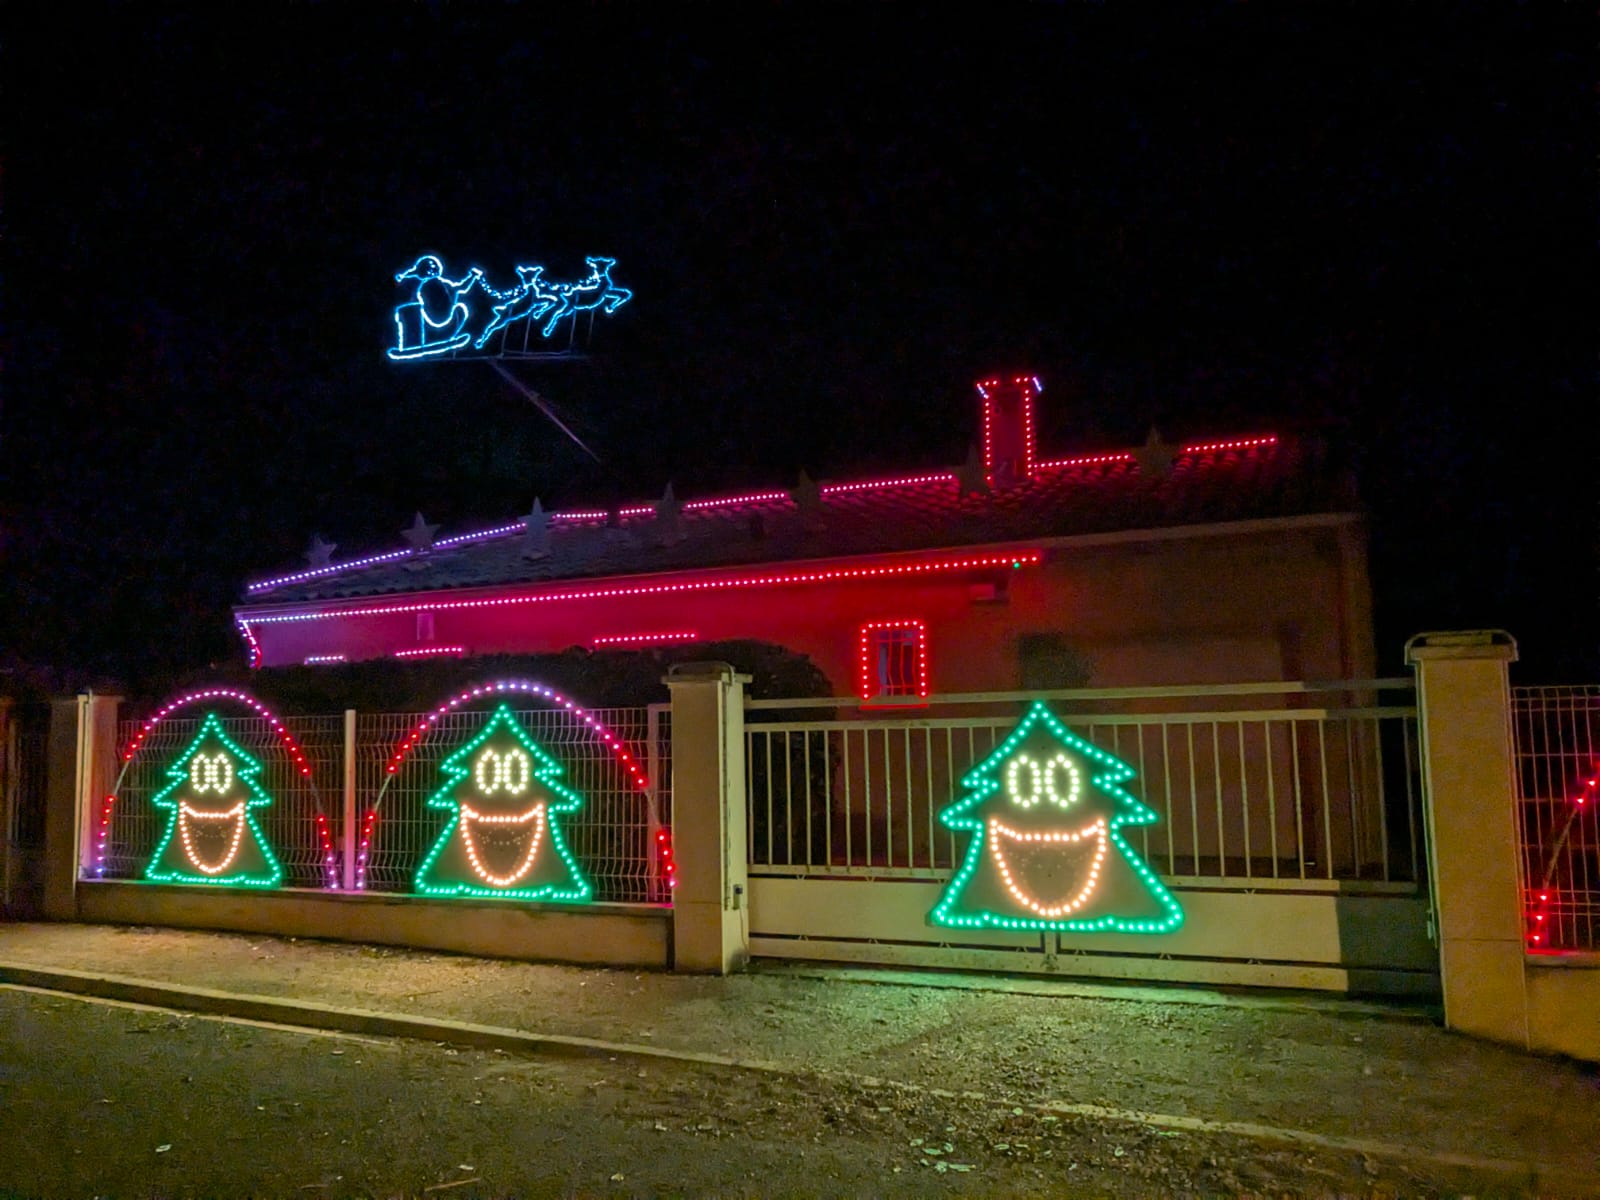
116,1100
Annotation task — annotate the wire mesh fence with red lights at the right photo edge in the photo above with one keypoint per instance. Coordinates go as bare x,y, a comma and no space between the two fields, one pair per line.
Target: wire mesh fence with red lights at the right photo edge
1558,735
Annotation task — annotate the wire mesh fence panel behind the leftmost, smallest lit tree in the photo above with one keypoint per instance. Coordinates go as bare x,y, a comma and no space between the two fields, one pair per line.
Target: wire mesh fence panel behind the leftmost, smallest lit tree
300,826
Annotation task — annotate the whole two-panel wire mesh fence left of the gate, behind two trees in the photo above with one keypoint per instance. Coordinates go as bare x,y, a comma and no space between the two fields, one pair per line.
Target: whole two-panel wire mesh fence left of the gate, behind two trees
351,823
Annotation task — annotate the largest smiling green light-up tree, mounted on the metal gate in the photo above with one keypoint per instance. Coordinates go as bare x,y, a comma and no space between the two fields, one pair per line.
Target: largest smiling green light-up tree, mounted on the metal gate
1046,814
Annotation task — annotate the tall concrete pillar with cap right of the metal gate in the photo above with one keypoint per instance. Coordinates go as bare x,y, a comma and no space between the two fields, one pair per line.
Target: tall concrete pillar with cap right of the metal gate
1468,766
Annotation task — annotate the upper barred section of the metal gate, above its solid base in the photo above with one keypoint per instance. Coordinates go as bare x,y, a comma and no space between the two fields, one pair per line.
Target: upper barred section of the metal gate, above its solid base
1282,782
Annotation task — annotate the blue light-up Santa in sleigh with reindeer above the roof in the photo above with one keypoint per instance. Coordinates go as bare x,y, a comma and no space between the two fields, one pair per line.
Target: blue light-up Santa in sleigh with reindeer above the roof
473,319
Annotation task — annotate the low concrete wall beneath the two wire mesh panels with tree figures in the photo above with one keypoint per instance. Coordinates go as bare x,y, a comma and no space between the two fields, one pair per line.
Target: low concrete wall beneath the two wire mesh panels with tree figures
594,935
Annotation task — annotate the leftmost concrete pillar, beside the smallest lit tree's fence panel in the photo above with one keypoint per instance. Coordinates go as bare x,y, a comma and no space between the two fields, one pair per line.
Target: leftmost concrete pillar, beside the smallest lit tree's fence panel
81,770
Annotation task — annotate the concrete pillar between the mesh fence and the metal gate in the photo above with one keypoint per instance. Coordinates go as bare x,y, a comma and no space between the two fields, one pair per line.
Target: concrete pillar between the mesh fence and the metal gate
711,924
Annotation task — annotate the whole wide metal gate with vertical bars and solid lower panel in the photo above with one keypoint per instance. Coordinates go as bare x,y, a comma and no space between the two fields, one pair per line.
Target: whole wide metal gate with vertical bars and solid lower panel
1290,828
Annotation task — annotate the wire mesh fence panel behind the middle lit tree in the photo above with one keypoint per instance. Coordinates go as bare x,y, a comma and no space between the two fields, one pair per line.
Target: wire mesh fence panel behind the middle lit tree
612,836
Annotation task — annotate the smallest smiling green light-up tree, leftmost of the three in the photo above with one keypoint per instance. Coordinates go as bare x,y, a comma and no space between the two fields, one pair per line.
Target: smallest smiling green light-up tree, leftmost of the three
212,833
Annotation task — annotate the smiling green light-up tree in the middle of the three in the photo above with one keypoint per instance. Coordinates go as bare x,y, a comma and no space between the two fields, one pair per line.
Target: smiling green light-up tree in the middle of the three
503,839
